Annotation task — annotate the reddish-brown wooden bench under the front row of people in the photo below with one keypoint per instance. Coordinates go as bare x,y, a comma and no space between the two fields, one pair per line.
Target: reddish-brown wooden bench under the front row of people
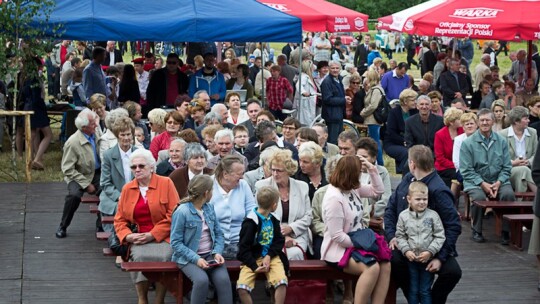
173,279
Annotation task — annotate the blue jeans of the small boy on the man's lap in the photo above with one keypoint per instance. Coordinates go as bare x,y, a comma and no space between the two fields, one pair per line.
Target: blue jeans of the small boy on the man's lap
421,281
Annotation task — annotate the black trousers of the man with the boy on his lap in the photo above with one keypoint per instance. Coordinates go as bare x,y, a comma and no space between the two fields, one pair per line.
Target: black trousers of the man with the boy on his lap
447,277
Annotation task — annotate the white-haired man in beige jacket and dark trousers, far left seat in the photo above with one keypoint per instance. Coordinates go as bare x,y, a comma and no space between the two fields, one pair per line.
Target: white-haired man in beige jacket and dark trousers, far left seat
81,165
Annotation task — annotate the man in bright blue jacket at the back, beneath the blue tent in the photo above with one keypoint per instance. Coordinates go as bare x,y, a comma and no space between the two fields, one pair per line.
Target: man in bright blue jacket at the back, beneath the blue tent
209,79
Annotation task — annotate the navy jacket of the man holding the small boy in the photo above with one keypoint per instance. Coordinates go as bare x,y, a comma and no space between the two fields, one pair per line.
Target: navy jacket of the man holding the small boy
440,200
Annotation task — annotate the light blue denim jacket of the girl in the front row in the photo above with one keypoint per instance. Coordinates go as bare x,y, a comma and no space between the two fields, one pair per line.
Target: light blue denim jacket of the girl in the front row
186,230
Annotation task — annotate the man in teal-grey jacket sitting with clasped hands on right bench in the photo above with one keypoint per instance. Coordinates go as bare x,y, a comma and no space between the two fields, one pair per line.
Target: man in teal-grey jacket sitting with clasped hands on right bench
485,165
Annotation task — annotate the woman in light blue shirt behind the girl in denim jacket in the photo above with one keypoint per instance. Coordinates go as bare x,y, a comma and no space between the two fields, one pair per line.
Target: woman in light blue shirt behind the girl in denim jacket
232,199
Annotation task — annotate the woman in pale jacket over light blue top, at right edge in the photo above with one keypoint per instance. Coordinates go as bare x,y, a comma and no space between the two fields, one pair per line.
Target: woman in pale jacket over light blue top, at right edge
522,144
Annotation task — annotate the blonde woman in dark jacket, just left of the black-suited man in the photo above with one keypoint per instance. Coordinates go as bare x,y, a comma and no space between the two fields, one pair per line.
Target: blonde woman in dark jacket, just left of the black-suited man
394,140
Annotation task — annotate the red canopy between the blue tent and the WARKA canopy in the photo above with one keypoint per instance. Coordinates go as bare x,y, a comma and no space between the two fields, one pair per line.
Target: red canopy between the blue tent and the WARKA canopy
320,15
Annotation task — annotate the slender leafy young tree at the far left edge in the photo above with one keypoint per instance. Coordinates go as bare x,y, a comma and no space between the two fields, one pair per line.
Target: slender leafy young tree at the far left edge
23,25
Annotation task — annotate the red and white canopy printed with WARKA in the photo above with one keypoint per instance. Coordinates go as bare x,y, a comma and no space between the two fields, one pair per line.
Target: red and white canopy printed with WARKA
478,19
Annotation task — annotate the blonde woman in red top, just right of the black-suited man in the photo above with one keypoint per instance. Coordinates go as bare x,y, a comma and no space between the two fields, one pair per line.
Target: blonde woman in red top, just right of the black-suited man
444,144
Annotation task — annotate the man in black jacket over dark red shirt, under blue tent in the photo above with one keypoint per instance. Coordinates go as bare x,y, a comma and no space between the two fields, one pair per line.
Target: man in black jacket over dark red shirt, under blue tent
166,84
